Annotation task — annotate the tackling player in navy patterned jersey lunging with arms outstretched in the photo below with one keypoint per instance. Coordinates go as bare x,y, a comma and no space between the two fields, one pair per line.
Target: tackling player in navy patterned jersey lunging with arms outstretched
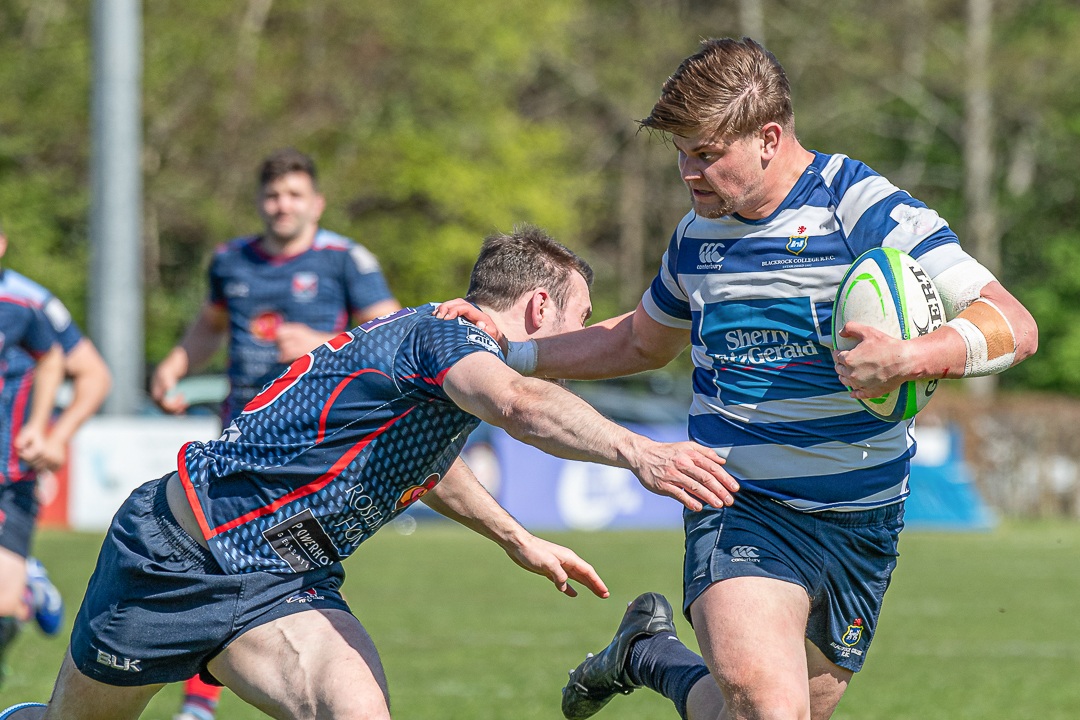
232,567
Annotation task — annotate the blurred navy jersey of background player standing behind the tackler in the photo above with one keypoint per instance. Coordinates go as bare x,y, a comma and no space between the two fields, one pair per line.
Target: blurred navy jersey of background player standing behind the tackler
320,288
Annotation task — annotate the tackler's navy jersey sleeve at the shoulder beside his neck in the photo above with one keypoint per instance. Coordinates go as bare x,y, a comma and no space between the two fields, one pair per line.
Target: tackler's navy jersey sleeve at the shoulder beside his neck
440,344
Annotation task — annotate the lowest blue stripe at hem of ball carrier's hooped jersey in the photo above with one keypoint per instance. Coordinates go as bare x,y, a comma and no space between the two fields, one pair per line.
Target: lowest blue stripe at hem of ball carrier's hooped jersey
840,490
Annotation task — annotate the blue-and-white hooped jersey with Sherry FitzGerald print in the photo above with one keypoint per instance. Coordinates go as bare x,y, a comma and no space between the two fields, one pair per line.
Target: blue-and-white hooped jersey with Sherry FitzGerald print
758,297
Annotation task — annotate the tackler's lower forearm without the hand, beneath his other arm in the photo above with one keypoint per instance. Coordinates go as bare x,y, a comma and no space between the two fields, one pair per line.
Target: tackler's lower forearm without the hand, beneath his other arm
463,499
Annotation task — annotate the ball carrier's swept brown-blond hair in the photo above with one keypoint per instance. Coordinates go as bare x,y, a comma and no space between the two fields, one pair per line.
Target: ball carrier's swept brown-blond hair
728,89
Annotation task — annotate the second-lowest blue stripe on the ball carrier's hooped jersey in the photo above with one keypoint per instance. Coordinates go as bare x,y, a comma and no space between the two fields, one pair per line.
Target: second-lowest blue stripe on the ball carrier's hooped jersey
719,431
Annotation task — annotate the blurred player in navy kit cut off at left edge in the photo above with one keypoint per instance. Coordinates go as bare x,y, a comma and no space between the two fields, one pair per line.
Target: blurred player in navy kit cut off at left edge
28,393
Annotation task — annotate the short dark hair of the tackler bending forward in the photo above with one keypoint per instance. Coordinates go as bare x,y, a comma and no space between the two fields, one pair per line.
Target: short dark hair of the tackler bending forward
511,266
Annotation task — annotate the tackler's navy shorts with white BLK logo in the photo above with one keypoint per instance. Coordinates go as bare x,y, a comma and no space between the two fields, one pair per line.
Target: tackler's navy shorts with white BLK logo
159,607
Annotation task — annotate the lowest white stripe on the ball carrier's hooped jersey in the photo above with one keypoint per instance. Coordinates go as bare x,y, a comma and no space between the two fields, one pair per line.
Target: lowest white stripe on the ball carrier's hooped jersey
750,463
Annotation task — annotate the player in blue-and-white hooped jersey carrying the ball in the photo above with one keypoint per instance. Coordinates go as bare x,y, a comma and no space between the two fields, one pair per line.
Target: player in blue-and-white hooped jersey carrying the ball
786,600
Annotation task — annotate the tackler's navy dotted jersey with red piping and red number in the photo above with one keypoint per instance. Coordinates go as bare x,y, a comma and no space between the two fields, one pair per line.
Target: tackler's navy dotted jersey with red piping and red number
344,441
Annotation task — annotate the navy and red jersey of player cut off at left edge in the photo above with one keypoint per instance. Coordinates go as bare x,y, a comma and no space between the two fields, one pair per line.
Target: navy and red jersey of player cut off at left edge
25,335
